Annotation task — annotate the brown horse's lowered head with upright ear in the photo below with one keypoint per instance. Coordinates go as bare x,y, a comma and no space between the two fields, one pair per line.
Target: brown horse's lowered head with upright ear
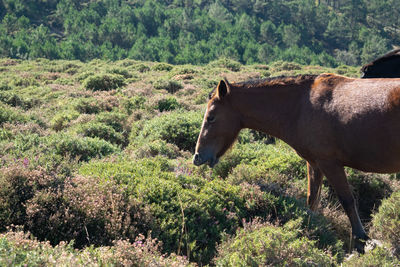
221,126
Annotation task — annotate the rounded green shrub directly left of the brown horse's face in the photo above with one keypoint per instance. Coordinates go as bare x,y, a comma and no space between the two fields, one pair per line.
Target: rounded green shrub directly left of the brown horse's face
180,129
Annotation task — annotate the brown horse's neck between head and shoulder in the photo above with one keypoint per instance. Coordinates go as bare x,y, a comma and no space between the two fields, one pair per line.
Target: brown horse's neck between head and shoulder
270,110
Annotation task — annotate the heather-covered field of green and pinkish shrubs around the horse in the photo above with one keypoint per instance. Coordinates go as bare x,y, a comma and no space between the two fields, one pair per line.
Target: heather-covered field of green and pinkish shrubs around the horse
96,171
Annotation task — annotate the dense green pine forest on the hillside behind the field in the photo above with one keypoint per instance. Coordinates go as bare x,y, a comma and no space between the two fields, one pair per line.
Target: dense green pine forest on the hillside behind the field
321,32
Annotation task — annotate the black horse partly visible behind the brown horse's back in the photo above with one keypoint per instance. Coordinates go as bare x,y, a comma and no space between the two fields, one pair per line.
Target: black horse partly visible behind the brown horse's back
386,66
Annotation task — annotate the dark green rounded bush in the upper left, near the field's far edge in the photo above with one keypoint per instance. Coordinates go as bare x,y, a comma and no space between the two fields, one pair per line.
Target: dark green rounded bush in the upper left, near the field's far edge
103,82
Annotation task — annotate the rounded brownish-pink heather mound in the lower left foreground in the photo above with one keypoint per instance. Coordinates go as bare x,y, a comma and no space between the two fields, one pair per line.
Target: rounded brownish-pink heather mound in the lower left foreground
86,211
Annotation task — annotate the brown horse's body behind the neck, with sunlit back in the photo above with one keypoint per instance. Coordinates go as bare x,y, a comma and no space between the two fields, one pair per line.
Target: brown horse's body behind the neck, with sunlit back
355,120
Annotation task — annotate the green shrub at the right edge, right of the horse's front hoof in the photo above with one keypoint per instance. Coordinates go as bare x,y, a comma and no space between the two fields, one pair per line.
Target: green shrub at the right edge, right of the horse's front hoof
386,222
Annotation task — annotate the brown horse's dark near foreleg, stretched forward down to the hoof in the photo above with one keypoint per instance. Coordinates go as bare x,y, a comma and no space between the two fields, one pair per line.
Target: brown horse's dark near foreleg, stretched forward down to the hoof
337,179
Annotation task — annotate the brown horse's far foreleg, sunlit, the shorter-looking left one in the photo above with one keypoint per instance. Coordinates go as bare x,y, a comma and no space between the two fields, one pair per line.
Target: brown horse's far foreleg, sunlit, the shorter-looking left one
314,186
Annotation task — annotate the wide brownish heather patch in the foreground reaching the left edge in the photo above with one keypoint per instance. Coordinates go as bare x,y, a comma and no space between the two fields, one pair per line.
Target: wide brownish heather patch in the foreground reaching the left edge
63,209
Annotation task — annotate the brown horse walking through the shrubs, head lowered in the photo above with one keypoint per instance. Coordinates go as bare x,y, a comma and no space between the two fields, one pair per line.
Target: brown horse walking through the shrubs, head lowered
331,121
